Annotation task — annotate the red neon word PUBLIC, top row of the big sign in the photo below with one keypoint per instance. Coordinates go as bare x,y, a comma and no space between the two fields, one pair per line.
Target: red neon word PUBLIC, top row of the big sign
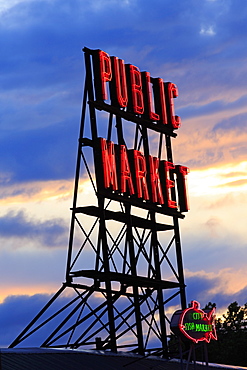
136,91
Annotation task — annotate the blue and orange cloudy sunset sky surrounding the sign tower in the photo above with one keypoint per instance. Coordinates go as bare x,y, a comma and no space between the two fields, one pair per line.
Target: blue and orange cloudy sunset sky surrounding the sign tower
200,45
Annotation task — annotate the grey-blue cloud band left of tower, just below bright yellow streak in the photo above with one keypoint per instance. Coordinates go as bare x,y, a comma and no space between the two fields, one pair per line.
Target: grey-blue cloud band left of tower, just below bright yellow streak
52,233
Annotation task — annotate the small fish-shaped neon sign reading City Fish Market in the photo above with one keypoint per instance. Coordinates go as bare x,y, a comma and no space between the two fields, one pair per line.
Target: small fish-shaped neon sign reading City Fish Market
194,323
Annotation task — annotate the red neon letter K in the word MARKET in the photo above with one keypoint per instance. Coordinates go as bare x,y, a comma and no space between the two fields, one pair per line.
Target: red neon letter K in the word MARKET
157,196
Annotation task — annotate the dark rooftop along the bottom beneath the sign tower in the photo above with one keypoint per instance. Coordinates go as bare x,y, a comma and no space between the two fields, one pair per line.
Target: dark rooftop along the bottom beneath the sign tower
57,359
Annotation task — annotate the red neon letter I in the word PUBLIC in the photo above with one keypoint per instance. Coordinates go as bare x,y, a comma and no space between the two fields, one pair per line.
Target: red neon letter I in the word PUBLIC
159,99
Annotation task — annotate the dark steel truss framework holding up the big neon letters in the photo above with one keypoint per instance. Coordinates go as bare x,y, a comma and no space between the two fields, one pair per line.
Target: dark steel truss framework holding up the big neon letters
124,264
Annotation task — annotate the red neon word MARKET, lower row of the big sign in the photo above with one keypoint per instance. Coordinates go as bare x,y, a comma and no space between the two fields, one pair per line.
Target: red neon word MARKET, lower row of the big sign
129,172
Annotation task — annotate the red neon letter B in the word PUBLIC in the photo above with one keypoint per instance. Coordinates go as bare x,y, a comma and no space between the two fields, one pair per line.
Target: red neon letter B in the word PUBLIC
135,88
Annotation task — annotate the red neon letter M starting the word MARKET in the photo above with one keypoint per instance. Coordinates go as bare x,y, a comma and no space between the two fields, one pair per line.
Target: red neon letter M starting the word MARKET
109,164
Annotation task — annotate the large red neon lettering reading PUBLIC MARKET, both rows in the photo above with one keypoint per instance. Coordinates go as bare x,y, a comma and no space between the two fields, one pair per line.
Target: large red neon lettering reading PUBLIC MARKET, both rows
138,97
